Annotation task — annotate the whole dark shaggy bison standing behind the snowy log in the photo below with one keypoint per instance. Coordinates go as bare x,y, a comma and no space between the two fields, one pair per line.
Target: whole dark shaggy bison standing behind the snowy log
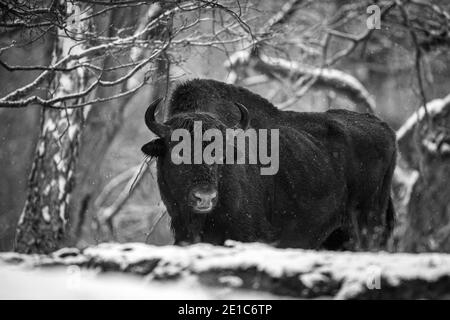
332,189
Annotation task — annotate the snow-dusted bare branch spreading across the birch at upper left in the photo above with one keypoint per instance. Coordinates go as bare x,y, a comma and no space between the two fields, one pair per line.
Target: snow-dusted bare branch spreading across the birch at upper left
19,97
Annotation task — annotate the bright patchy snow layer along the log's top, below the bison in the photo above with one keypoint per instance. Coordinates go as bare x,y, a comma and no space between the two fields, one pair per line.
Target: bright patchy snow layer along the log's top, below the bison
311,266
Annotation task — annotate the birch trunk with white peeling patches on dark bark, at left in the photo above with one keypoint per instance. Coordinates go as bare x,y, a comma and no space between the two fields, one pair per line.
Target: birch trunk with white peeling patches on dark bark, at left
42,225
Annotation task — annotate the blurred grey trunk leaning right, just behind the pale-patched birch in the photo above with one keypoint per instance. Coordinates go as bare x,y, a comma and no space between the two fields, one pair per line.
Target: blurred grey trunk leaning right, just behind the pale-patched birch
101,127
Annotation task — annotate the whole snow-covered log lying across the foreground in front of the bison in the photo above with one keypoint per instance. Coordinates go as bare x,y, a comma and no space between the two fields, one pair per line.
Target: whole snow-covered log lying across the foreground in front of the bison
255,269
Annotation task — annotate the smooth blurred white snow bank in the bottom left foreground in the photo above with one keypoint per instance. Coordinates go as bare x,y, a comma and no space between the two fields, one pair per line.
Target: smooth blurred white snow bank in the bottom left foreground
63,284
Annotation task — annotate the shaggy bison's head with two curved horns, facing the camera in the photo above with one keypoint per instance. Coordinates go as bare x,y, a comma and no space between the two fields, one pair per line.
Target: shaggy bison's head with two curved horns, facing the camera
187,189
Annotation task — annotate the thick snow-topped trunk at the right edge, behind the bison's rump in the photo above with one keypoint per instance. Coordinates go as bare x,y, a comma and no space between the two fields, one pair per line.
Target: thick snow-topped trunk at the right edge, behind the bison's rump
423,186
